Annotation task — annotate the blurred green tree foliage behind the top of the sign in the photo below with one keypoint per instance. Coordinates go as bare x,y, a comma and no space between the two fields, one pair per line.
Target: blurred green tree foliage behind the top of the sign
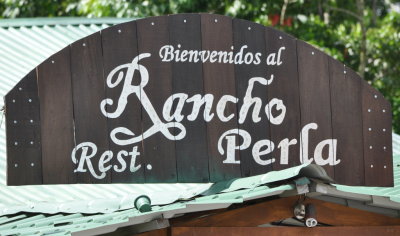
334,26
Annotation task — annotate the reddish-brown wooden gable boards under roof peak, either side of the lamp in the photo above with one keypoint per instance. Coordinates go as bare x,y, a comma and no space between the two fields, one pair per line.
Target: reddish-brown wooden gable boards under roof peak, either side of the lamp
275,210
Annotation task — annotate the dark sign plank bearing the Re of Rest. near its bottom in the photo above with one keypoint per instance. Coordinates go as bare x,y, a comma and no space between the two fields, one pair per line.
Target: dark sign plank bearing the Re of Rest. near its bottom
88,87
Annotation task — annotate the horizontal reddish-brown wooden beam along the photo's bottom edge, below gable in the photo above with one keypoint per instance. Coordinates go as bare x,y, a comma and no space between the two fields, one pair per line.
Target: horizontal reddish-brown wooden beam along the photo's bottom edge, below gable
285,231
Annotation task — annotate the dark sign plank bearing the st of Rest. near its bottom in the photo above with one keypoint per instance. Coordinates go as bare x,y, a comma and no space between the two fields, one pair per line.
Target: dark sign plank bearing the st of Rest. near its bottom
120,48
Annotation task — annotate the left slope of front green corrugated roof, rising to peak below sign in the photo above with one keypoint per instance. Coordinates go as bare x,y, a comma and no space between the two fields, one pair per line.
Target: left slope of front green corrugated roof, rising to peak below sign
236,192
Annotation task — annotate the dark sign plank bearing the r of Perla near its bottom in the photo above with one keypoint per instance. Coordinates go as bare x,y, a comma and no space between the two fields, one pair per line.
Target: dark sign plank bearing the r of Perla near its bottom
285,87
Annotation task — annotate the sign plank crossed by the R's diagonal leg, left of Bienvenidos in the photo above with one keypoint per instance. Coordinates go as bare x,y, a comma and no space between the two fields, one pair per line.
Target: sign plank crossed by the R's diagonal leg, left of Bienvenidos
159,151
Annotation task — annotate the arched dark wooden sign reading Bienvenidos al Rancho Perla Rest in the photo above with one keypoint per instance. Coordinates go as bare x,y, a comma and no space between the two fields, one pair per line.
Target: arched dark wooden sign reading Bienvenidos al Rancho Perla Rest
194,98
